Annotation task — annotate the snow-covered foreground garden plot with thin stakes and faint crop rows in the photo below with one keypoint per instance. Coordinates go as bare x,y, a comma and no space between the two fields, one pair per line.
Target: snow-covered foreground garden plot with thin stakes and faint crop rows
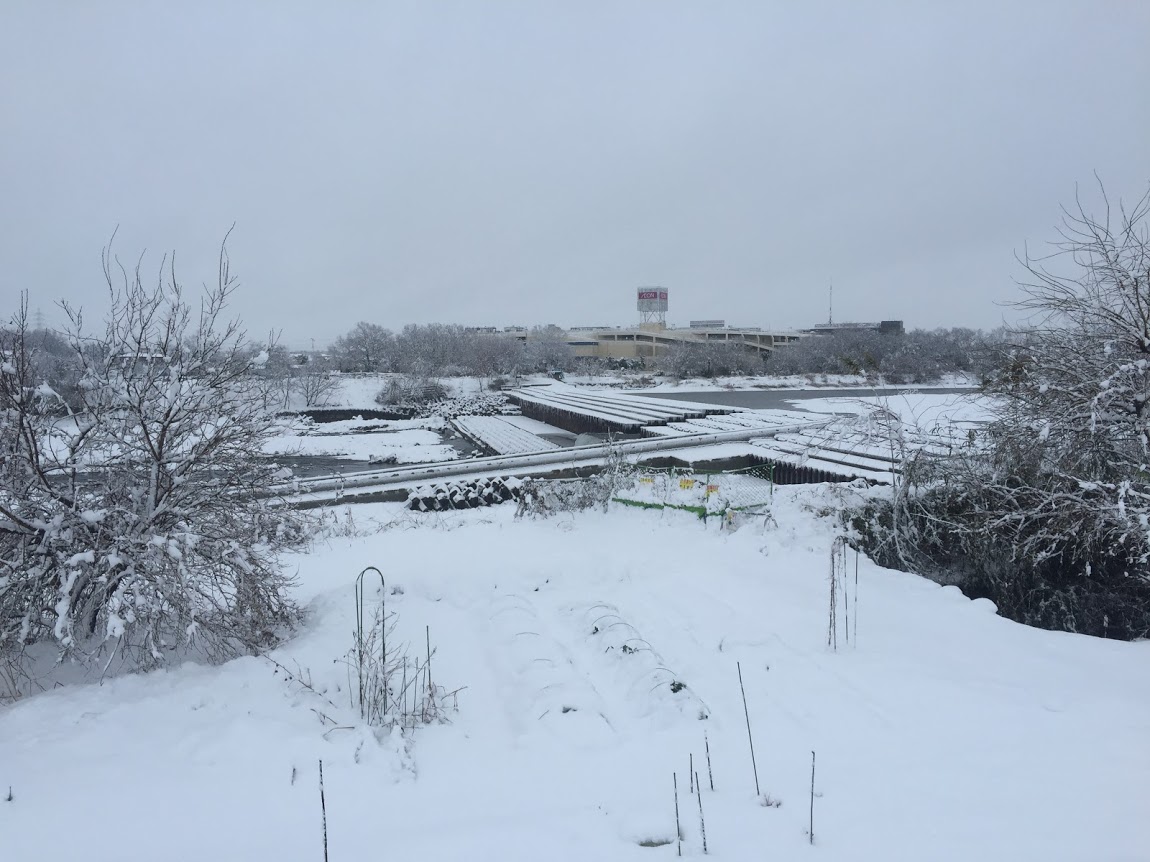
942,732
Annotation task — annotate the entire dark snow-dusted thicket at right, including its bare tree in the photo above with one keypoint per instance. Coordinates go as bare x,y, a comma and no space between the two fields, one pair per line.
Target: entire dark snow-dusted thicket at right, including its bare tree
1049,513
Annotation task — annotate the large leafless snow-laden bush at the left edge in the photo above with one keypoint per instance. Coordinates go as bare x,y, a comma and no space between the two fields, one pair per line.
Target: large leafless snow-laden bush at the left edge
131,528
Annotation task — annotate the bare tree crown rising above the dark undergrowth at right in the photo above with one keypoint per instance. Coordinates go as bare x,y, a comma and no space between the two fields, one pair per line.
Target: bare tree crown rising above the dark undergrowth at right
1078,374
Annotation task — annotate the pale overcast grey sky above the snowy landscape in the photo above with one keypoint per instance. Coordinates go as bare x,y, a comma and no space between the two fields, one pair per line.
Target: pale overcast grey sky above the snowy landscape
530,163
